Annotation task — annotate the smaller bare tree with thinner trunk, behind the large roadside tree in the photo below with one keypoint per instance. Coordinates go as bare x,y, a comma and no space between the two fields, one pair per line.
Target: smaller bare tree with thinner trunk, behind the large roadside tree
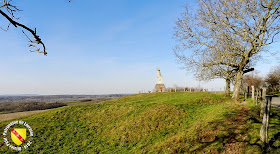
210,63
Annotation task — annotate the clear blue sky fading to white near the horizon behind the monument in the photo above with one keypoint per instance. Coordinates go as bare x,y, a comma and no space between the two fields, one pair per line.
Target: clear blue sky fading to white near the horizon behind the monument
95,47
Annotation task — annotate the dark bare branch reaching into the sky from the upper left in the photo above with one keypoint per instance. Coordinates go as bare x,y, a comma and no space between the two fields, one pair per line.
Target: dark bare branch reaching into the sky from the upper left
8,11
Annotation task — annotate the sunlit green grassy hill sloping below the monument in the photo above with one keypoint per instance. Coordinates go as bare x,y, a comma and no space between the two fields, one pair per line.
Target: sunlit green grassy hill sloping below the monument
156,122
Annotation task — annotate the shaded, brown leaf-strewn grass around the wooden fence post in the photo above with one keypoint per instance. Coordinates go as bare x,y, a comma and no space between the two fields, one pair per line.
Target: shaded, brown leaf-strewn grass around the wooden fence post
239,133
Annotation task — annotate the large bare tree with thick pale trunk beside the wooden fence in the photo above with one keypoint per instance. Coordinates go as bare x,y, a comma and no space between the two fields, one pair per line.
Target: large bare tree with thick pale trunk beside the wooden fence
243,28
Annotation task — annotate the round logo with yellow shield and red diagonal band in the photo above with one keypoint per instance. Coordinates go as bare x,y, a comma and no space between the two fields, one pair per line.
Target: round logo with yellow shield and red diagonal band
16,135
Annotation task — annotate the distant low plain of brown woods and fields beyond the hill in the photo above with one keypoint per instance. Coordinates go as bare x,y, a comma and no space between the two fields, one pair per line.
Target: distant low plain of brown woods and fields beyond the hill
12,104
